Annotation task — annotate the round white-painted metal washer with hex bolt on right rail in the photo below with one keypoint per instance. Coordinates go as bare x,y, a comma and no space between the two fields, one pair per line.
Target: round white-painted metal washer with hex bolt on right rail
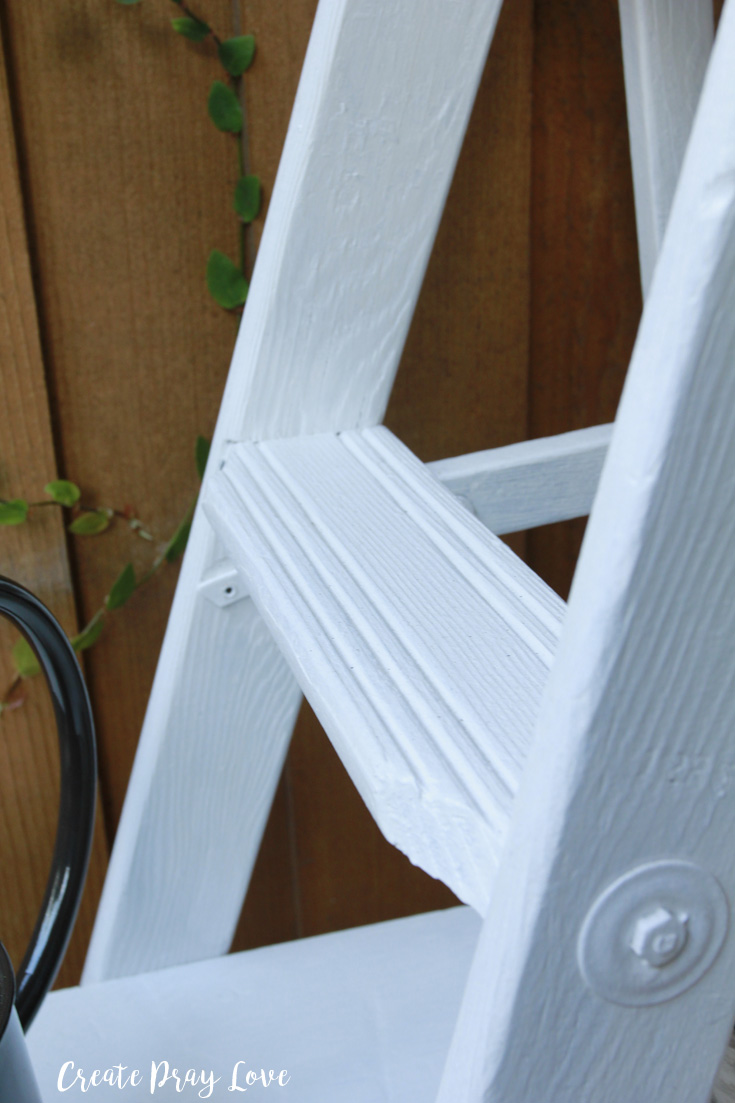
653,934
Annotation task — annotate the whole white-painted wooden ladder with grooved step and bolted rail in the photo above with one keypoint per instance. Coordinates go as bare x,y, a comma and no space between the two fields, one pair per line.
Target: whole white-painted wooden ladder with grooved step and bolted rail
568,772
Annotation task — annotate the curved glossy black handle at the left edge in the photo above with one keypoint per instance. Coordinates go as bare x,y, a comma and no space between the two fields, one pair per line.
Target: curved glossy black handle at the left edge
77,810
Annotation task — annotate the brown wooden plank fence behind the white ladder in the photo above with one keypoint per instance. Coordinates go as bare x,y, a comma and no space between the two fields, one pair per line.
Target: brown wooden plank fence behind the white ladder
114,187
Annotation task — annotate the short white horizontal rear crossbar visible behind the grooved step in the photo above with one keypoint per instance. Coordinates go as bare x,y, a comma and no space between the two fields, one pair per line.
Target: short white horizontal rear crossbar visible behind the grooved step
536,483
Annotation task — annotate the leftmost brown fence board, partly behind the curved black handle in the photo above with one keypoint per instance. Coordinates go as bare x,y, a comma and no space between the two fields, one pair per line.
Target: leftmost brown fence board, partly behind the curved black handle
36,555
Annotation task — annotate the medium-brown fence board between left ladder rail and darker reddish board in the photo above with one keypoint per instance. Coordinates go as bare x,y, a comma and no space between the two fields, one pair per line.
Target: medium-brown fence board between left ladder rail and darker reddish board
464,377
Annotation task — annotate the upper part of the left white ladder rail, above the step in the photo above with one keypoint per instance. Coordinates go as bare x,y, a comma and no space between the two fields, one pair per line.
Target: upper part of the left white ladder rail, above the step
328,292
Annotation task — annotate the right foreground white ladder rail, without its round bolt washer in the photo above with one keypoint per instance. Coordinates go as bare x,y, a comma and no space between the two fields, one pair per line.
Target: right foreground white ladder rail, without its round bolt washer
633,761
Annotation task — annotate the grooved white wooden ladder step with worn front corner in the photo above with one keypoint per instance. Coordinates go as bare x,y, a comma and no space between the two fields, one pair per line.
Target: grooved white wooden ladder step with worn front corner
421,640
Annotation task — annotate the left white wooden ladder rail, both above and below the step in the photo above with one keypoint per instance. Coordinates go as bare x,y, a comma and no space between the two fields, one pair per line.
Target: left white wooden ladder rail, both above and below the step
377,128
